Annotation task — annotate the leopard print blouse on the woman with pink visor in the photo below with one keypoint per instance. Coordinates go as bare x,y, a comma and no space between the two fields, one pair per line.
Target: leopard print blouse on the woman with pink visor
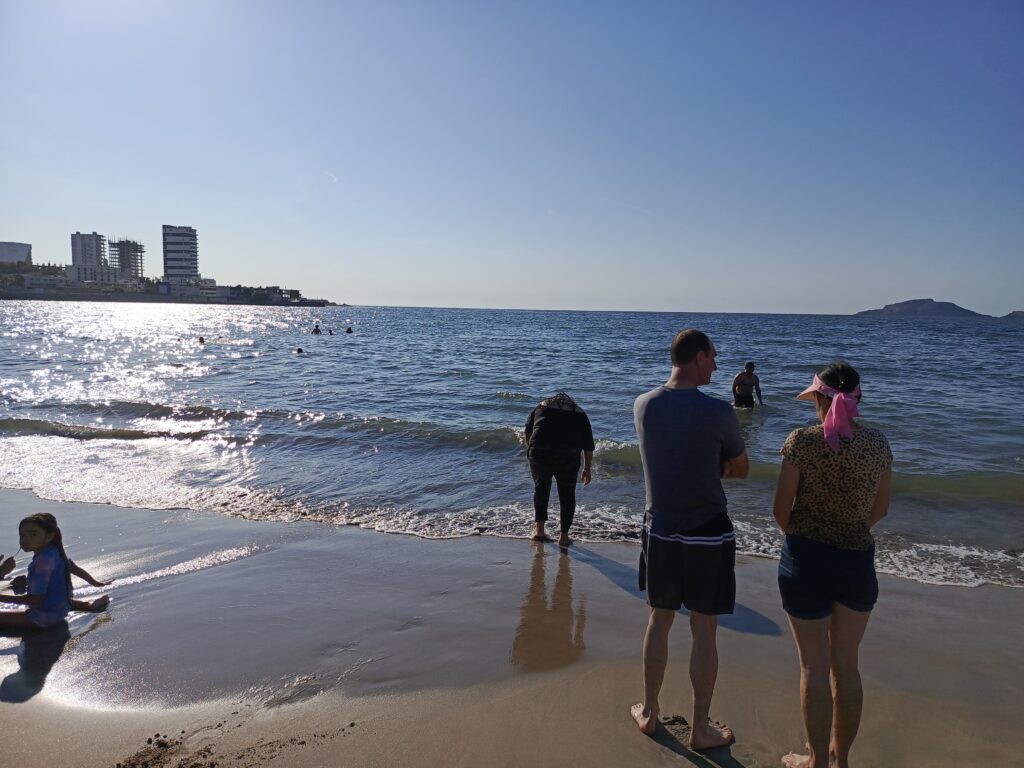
837,490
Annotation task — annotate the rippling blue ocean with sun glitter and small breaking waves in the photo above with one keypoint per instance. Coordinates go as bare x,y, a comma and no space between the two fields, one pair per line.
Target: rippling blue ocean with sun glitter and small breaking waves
413,423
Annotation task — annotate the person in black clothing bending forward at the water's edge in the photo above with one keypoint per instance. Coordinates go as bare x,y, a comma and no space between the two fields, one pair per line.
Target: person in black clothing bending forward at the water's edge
557,432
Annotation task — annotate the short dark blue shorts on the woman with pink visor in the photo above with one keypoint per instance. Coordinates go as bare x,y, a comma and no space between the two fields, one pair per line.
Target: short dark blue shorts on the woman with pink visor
814,576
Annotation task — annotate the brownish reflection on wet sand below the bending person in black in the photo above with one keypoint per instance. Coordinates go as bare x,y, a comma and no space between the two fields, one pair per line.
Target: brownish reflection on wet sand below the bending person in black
546,638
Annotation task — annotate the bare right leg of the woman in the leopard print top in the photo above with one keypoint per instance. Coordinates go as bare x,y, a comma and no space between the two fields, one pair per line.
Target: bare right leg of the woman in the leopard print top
846,631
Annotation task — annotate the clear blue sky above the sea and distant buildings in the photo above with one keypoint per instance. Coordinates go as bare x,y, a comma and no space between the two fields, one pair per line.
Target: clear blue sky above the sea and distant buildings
684,156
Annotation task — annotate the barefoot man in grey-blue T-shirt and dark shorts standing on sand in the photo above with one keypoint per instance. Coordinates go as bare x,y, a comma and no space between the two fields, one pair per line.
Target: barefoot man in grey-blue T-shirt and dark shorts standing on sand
689,442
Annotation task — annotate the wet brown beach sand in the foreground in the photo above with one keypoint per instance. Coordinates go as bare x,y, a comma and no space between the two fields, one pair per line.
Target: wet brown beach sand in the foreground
242,644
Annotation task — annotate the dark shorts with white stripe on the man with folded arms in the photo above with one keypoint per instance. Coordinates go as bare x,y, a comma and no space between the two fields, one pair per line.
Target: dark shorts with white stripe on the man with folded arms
696,569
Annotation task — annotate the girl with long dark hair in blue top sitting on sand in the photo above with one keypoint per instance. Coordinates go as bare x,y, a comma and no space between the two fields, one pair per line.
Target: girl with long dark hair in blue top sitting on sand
50,595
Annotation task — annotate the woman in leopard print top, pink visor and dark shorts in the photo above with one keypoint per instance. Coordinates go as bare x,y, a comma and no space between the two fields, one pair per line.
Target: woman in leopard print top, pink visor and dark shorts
834,487
